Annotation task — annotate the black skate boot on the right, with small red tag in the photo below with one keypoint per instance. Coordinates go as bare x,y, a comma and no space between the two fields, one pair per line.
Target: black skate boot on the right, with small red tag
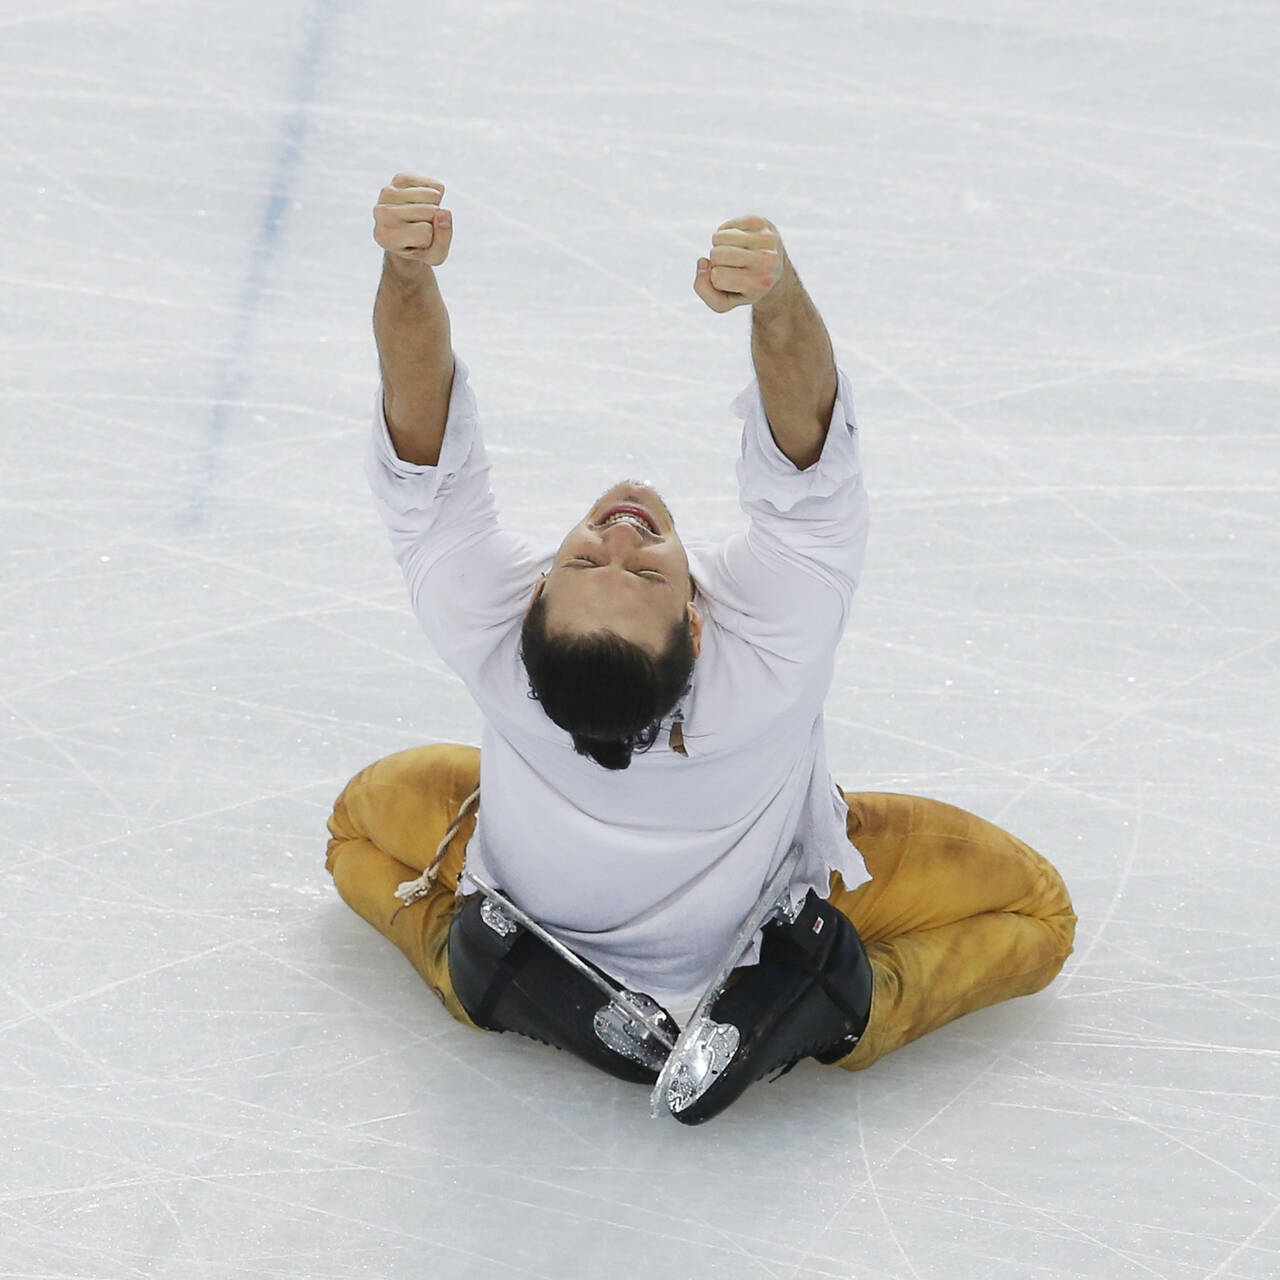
810,996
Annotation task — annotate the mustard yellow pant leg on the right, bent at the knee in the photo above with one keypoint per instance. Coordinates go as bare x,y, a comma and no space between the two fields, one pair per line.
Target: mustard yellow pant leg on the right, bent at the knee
958,916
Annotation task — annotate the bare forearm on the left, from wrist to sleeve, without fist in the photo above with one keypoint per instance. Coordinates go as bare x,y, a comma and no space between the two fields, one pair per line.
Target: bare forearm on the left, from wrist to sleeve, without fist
412,327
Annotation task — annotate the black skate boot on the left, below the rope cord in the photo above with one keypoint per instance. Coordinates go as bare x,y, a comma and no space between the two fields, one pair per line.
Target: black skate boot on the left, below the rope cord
509,980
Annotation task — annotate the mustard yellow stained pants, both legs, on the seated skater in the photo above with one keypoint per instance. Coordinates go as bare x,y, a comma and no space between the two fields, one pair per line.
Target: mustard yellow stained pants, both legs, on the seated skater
958,915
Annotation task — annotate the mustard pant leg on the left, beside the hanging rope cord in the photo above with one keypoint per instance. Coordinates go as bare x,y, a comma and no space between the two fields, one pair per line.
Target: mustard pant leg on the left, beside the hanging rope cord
386,829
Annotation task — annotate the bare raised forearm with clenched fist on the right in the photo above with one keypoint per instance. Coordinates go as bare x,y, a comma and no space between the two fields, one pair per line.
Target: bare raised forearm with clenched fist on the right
790,348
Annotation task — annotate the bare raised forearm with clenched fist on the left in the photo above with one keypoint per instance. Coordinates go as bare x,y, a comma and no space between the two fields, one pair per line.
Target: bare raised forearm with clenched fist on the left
412,324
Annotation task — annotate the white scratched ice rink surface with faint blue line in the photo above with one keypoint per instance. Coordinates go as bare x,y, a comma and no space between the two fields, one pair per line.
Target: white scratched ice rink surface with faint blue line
1046,239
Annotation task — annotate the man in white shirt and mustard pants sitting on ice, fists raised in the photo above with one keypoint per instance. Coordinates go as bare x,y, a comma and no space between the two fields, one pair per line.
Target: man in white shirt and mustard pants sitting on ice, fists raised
653,742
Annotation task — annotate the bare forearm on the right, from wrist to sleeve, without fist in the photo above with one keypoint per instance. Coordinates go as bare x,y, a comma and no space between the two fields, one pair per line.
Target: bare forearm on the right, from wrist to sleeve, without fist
796,368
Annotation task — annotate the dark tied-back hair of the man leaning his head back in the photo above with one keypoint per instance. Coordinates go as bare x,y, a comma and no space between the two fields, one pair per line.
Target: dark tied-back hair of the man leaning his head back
609,693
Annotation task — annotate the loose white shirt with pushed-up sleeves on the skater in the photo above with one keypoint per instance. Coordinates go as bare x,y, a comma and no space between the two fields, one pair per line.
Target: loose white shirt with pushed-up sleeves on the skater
648,871
